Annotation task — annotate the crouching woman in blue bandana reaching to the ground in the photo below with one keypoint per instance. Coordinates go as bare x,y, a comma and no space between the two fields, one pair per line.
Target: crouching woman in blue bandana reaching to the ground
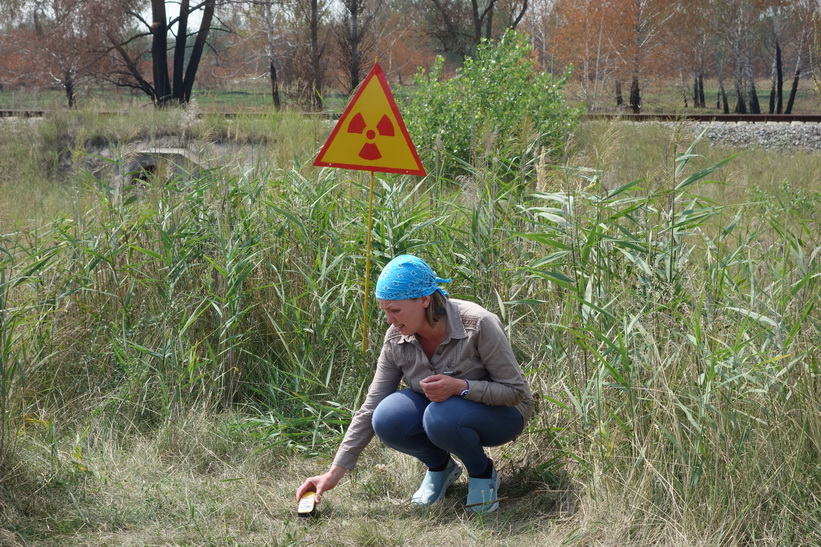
465,390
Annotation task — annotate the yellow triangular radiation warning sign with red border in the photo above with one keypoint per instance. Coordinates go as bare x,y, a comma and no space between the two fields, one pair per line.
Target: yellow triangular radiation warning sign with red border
371,135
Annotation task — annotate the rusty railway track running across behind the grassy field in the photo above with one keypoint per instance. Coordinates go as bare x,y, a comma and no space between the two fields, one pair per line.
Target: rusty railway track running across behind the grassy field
726,118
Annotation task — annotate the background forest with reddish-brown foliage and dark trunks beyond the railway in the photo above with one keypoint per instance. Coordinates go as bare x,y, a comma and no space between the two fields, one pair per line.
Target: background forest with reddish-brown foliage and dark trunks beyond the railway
734,56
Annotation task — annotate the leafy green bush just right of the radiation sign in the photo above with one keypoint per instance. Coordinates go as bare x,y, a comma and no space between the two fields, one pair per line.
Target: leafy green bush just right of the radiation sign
497,107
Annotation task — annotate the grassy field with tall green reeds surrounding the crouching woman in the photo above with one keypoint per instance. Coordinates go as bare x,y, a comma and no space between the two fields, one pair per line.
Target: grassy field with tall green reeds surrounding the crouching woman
175,357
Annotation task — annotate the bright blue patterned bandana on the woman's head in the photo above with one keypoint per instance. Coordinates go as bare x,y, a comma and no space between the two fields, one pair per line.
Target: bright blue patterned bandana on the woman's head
407,276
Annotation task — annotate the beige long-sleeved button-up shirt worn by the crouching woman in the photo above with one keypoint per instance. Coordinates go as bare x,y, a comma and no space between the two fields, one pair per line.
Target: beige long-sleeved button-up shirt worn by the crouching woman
475,349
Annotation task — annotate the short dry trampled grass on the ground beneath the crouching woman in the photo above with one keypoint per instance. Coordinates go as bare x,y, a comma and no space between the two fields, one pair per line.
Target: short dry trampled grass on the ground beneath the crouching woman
201,482
